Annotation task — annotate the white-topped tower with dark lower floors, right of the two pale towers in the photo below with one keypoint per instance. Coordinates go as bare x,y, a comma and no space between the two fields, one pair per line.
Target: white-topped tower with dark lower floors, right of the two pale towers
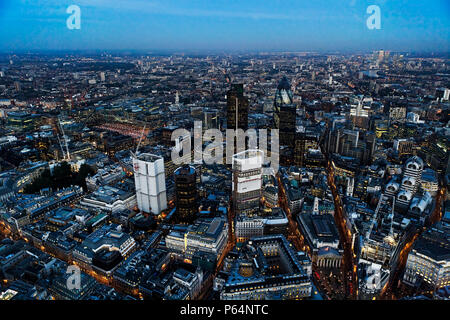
247,181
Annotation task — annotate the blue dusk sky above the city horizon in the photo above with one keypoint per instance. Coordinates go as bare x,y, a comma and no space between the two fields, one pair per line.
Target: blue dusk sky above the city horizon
257,25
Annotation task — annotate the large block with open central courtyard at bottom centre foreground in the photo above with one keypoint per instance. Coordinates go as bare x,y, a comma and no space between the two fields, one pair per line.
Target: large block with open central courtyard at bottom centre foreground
267,268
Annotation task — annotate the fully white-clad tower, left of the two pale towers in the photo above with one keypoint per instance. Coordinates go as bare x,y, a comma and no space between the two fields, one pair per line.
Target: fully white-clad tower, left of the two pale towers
149,178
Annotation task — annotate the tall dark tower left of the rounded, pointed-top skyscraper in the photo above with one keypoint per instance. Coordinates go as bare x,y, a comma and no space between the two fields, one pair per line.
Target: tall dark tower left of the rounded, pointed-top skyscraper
237,108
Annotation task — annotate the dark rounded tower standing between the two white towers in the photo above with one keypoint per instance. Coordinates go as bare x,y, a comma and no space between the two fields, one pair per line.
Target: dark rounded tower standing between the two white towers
186,193
